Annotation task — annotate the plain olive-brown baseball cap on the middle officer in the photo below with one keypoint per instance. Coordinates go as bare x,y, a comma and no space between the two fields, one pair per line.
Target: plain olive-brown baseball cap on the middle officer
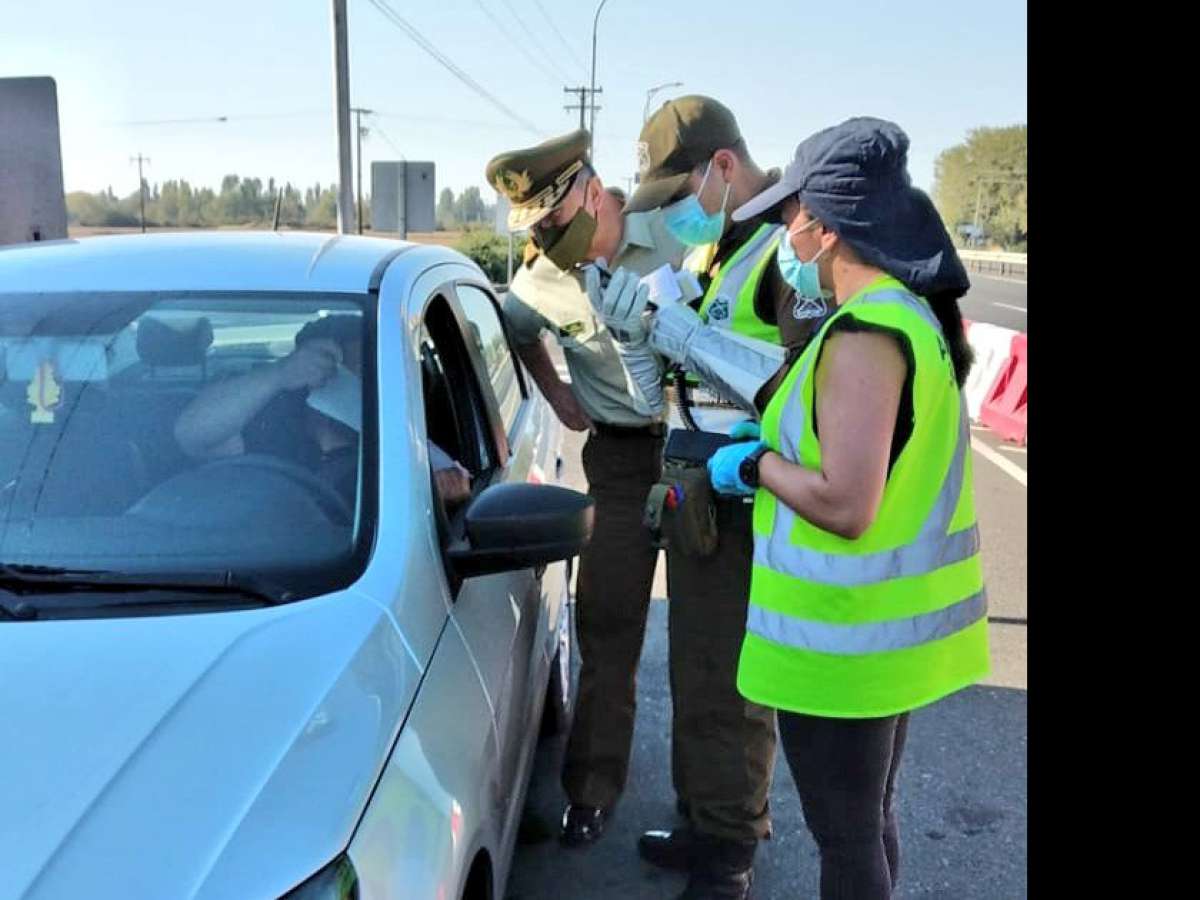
683,134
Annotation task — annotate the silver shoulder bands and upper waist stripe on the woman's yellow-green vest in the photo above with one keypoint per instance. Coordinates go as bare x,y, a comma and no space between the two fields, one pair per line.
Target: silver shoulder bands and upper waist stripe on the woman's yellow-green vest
931,550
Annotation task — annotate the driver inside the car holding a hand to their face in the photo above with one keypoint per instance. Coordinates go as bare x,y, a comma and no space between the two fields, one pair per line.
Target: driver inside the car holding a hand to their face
307,410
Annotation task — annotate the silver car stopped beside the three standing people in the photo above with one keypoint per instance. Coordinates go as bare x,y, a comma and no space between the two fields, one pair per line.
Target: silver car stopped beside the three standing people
251,646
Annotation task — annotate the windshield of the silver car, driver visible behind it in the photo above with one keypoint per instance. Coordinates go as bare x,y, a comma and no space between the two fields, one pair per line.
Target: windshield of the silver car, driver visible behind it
188,434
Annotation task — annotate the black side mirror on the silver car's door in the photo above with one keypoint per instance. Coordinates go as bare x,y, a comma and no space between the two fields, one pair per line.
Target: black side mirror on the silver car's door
519,526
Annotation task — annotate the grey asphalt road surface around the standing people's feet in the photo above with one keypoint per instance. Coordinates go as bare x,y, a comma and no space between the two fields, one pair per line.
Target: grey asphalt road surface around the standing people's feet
963,787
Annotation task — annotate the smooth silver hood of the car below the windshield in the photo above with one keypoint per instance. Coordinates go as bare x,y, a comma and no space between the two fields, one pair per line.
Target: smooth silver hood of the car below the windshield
221,754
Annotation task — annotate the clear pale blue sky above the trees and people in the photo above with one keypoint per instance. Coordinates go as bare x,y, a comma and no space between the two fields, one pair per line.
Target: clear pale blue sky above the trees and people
128,71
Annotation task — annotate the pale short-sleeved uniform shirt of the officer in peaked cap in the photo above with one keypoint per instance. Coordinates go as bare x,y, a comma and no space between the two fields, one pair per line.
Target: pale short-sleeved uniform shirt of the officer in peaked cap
544,298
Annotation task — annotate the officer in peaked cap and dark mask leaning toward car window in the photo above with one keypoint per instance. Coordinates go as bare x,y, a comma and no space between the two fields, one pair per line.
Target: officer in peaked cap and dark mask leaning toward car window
577,226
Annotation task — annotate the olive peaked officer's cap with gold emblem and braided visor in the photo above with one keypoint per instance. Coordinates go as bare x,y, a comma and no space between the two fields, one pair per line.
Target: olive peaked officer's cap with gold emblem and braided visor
537,178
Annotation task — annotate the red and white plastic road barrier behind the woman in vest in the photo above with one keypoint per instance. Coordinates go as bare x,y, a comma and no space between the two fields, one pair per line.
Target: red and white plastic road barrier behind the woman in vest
997,389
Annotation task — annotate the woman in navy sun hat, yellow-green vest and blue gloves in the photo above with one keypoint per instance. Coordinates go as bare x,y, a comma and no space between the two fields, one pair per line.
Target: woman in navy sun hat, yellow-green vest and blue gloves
867,598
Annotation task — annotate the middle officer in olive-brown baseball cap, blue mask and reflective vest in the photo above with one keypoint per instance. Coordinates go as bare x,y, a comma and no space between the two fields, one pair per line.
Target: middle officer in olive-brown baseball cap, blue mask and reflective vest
695,167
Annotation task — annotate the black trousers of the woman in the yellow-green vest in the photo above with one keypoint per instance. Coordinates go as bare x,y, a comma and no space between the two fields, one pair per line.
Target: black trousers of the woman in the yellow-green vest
845,771
